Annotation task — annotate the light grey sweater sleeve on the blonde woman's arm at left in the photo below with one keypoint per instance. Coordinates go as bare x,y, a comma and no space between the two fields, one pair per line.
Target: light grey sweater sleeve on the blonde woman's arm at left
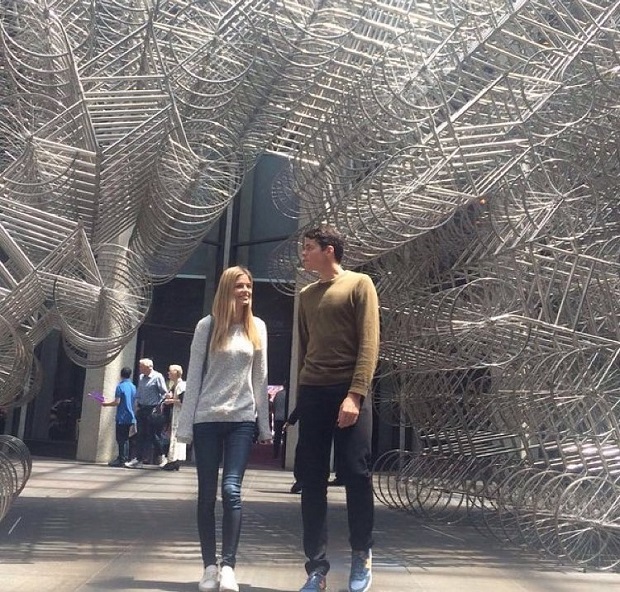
193,385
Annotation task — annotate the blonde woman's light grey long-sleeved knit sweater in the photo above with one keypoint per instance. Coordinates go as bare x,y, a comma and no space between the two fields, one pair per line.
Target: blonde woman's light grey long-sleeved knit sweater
233,386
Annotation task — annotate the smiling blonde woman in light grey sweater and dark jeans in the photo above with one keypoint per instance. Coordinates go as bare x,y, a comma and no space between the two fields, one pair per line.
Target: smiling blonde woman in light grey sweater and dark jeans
226,393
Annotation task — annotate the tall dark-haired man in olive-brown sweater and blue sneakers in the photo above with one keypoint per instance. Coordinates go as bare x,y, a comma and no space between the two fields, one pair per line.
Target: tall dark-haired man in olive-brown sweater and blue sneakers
339,344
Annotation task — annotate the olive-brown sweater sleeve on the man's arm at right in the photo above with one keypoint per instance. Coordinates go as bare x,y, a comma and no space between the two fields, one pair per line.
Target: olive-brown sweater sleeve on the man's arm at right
367,320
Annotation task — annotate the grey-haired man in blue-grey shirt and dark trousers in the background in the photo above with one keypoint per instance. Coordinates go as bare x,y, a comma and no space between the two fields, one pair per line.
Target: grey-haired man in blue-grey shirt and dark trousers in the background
150,393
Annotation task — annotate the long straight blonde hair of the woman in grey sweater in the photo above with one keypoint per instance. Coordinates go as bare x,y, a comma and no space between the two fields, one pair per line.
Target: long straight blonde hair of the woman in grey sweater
223,311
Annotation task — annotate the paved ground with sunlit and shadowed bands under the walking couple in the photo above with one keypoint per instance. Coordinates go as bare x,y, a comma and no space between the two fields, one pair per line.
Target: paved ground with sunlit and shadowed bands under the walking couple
84,527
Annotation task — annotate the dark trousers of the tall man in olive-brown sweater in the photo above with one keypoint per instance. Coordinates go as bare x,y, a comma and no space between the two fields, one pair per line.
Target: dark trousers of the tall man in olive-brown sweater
318,408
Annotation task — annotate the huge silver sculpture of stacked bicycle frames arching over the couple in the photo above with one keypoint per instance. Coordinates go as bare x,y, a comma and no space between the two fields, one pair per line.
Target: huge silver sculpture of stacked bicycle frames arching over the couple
467,148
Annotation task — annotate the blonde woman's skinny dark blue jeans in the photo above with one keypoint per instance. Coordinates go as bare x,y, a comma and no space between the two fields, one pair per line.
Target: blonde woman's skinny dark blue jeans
233,442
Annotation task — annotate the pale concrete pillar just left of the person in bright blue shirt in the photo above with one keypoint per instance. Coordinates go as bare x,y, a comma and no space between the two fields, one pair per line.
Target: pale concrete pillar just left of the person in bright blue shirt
97,427
